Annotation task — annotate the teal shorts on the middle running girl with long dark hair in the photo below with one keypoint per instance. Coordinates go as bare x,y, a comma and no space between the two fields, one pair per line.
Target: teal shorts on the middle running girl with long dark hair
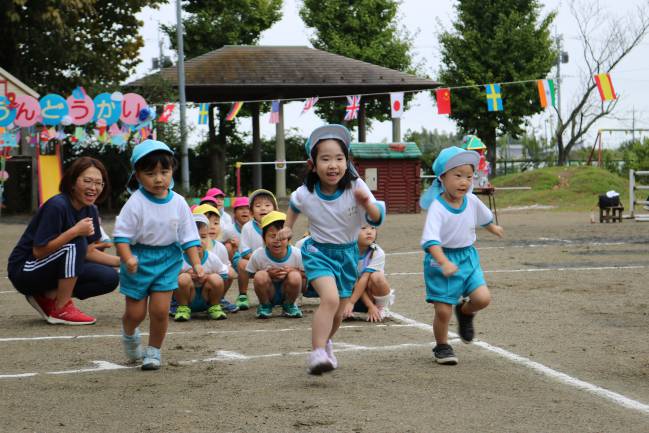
334,260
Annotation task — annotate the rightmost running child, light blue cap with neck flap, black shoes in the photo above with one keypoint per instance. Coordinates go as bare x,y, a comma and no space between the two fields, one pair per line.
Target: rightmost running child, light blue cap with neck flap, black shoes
451,264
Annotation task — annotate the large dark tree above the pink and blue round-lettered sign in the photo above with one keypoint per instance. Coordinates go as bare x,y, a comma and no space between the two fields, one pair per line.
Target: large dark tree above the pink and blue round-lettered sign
56,45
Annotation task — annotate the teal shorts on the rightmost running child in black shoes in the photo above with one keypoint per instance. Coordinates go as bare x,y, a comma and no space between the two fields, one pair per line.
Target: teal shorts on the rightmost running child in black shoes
449,290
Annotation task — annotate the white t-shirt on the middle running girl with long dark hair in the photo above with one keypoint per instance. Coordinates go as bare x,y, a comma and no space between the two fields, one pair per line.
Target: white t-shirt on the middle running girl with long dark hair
336,218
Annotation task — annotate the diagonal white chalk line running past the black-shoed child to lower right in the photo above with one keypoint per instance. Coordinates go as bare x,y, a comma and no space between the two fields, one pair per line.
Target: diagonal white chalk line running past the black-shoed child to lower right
566,379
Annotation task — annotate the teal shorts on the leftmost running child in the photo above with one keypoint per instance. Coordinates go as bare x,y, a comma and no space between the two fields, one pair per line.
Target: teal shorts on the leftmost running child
157,271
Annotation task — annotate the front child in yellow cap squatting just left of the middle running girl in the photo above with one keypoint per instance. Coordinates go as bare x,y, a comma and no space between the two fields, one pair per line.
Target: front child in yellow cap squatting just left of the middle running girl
276,270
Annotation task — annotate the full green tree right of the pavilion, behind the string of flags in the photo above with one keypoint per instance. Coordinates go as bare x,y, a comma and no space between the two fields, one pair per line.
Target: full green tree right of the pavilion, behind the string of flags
493,42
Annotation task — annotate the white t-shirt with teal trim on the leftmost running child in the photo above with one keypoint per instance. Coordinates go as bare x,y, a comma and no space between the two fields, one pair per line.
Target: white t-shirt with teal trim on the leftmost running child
148,220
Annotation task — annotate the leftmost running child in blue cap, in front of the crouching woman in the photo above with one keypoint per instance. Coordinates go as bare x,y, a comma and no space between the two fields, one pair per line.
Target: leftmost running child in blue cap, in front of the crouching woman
151,231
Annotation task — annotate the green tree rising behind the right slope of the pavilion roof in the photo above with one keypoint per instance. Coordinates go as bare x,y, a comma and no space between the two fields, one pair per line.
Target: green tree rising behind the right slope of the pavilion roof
365,30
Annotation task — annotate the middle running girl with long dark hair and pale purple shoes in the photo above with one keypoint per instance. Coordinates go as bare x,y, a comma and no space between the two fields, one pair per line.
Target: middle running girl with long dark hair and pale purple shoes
337,203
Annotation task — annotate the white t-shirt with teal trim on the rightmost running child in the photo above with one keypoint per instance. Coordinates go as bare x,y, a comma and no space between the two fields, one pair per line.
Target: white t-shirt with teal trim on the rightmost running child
454,228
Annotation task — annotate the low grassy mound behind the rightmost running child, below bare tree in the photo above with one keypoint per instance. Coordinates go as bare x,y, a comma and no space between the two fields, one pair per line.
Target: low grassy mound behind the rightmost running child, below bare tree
567,188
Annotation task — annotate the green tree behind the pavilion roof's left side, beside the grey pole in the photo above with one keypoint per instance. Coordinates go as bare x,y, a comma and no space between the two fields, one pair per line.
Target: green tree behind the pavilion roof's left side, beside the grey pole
210,25
